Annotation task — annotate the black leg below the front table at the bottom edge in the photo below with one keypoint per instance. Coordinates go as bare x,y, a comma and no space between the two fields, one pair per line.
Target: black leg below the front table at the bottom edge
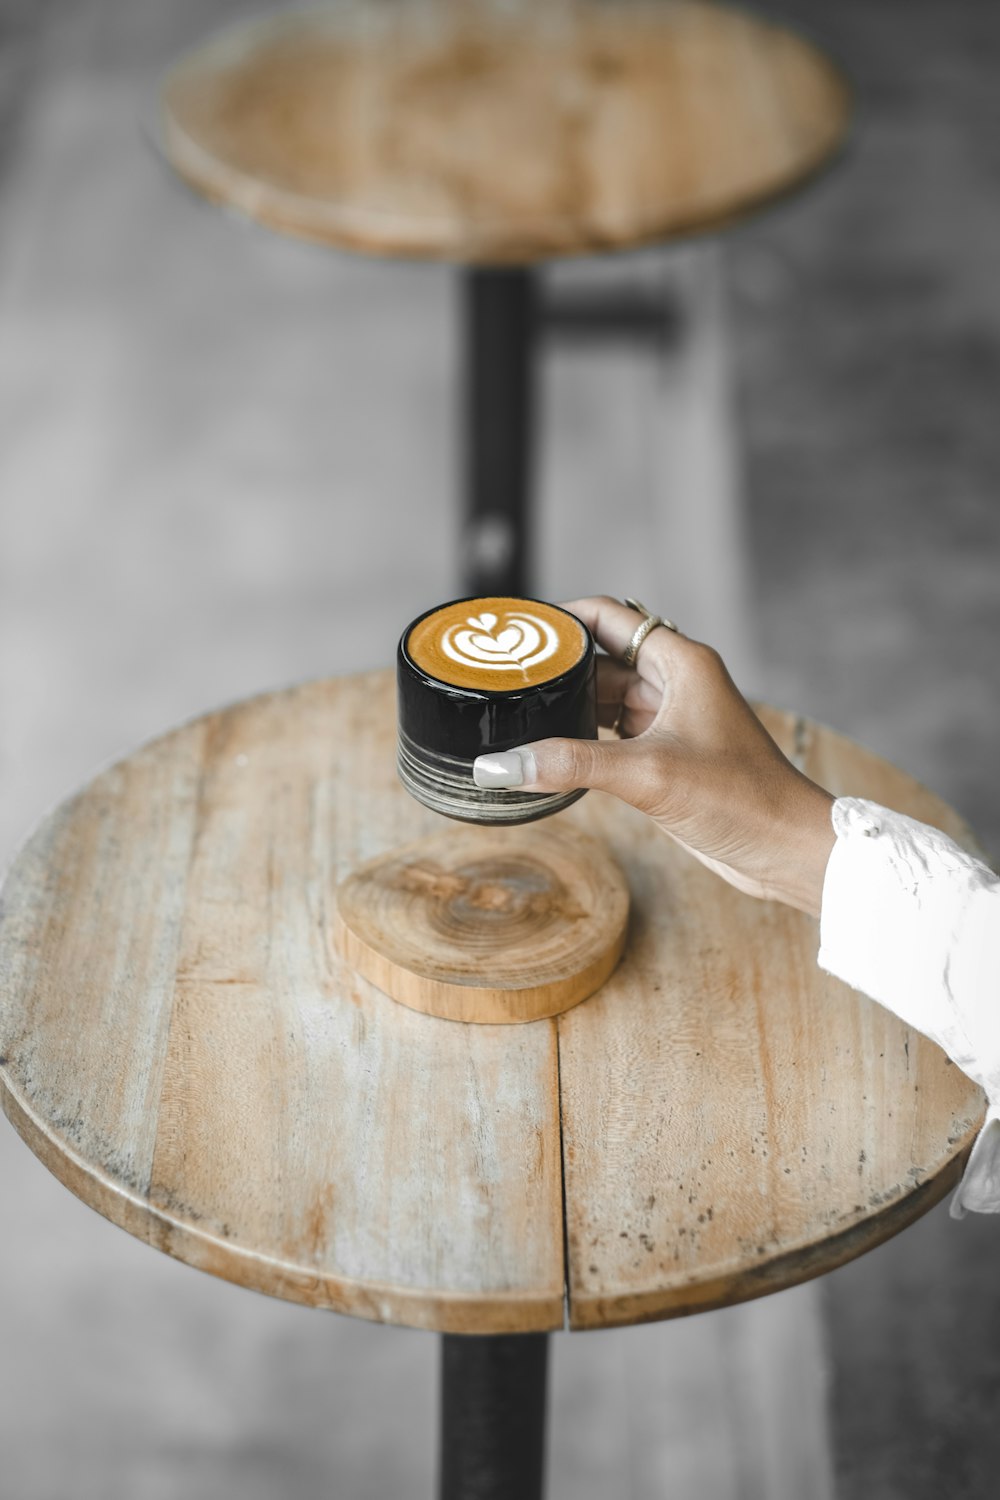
493,1417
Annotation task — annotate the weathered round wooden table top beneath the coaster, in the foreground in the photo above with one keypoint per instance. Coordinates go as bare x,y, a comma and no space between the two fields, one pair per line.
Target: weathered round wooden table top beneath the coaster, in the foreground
184,1048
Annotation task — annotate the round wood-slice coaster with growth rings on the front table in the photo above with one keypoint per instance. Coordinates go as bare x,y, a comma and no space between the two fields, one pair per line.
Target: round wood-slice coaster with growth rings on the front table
487,925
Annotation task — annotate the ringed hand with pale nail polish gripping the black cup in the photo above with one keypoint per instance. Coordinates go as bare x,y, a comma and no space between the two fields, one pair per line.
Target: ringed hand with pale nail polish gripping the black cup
695,757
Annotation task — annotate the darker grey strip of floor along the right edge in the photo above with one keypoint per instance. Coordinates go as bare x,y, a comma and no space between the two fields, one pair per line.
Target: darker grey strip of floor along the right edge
869,361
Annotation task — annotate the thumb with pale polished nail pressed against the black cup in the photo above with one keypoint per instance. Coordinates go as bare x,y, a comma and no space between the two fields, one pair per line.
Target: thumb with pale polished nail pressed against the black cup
563,766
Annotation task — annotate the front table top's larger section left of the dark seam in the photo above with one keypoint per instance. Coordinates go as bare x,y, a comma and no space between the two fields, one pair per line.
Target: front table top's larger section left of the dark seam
187,1051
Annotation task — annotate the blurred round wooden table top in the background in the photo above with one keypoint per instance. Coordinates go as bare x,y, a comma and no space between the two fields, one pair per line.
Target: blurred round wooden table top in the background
466,133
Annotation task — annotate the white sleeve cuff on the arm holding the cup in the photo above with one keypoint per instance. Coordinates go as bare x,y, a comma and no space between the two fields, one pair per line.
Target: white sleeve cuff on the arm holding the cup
915,923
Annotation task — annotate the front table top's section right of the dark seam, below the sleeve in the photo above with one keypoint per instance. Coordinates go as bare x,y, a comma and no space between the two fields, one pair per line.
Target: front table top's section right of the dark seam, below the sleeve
734,1120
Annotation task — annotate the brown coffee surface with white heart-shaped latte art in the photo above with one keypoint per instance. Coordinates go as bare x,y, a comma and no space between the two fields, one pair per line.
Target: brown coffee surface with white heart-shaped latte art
497,646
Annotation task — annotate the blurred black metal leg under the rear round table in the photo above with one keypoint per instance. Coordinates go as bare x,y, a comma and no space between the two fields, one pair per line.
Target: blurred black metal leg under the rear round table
499,319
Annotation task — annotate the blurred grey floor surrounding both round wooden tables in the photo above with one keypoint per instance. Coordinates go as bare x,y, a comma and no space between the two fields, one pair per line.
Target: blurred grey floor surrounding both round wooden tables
230,463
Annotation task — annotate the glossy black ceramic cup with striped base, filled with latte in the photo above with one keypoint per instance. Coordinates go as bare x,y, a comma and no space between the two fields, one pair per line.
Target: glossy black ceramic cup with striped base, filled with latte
490,674
